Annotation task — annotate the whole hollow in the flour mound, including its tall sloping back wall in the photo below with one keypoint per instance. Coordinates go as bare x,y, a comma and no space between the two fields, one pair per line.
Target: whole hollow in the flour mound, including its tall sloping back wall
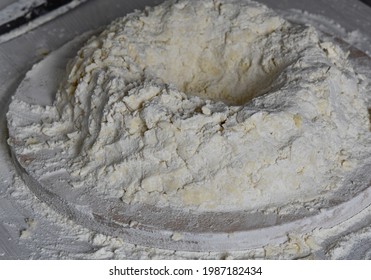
231,62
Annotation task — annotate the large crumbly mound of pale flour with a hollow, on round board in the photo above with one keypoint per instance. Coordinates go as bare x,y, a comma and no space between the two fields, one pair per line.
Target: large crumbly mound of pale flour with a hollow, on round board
205,105
